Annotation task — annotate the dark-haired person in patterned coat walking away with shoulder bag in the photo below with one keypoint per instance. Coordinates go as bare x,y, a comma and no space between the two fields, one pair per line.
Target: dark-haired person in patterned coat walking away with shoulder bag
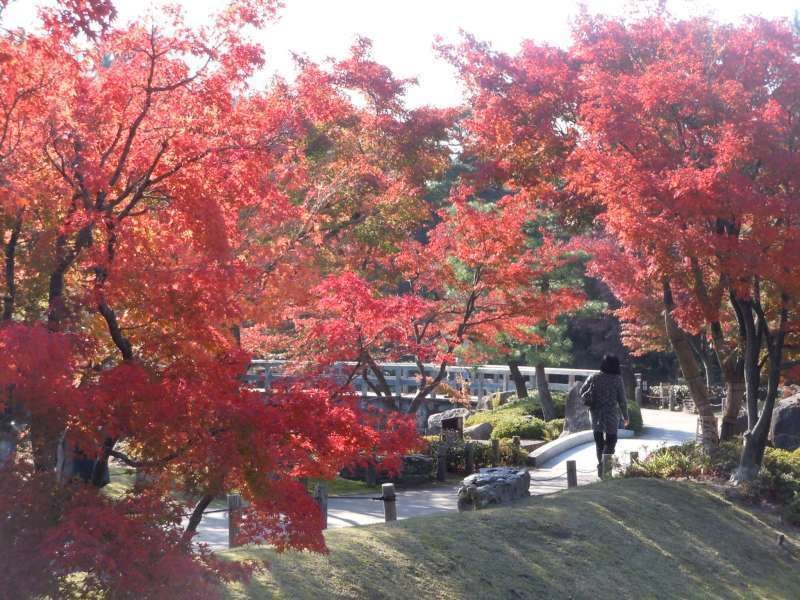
604,394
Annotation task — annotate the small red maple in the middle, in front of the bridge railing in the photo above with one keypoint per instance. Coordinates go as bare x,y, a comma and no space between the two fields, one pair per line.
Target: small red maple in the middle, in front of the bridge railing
473,279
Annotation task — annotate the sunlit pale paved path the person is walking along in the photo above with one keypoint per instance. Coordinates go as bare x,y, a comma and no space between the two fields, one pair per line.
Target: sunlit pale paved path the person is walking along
662,428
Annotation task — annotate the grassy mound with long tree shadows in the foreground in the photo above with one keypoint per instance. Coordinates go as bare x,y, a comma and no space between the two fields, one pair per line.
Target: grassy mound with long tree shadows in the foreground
634,538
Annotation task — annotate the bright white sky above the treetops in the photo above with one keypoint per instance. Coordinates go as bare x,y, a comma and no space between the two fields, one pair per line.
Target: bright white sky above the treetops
403,30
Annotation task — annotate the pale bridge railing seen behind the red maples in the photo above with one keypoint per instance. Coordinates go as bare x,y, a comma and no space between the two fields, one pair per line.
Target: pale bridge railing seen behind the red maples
403,378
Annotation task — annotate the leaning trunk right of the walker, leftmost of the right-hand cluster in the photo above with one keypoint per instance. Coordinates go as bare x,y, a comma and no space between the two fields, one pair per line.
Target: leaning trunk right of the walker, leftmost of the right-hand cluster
691,371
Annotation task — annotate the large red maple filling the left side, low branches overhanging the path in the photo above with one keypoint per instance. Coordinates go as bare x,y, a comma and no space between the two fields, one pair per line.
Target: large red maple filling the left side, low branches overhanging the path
151,202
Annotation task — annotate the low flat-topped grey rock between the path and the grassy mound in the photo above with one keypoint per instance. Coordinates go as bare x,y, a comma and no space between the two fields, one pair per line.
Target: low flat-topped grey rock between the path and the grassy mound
493,486
